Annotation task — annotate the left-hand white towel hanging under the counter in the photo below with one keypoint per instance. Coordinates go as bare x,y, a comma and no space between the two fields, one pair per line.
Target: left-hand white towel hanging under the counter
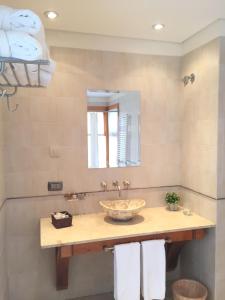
127,272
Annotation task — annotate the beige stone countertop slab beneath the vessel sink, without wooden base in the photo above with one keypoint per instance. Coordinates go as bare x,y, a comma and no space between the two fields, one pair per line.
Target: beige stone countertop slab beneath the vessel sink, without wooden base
97,227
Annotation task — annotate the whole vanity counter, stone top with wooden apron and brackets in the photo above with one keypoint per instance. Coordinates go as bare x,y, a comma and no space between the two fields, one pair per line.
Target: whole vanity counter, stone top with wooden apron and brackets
94,233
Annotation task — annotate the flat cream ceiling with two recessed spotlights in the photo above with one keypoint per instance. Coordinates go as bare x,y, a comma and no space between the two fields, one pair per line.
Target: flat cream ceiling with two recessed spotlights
129,18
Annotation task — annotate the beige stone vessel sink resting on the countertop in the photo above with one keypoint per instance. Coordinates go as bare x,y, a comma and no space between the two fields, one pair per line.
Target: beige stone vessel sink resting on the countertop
122,210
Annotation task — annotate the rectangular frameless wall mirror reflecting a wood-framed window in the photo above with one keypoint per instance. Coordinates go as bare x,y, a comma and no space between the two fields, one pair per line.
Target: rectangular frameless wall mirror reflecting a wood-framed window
113,128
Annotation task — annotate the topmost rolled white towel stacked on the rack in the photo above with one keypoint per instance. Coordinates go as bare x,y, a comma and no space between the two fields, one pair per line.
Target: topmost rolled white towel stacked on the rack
23,20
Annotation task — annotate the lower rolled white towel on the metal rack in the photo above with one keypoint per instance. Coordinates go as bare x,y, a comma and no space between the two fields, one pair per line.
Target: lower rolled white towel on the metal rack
19,45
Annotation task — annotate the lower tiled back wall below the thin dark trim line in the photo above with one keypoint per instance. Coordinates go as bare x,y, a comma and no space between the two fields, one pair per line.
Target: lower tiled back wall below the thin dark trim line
31,270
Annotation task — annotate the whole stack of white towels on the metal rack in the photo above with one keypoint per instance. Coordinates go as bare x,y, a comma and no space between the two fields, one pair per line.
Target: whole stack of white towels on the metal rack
22,36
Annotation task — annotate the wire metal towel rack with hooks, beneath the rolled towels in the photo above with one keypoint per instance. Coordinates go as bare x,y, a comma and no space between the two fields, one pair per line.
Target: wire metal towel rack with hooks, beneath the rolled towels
10,82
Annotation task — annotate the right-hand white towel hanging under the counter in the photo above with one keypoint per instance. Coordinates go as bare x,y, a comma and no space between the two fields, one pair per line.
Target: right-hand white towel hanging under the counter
153,270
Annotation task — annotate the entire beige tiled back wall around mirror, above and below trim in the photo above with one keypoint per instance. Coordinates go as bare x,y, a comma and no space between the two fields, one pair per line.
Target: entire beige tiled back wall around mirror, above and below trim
57,117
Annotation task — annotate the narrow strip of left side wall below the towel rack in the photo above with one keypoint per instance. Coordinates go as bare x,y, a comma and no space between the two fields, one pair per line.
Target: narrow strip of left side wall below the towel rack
3,269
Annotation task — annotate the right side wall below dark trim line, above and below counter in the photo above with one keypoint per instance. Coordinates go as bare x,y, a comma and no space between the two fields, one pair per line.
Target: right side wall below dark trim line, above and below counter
198,257
